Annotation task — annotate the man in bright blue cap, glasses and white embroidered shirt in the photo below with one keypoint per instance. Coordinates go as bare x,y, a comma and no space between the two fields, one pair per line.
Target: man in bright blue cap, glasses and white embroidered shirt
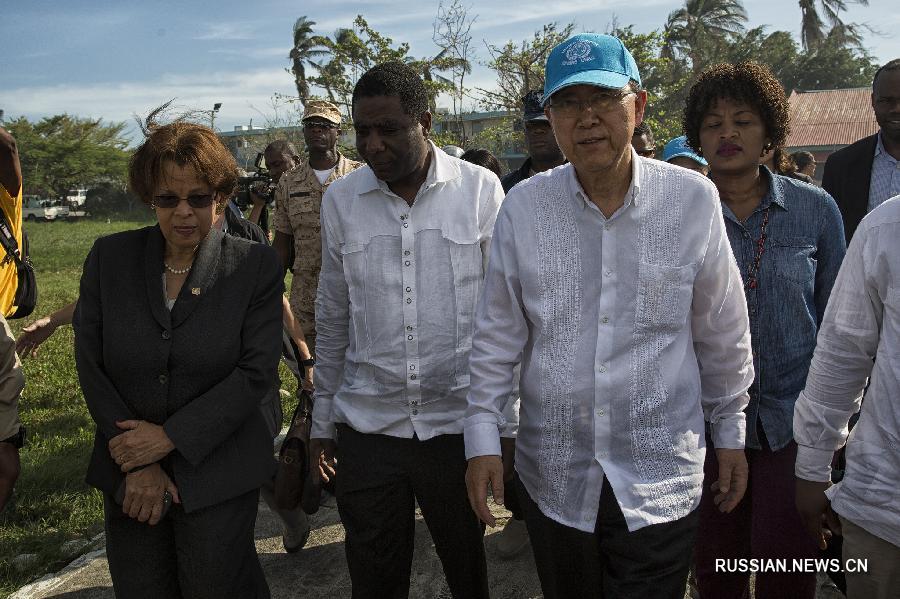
613,279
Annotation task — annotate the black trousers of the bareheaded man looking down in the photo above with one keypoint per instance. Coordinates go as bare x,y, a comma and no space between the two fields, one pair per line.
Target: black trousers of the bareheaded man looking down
381,479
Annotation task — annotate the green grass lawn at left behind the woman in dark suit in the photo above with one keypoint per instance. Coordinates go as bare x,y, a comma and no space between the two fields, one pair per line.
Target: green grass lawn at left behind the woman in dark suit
52,503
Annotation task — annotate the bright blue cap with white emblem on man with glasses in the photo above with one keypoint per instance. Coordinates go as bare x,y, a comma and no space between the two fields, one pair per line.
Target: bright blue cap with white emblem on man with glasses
589,59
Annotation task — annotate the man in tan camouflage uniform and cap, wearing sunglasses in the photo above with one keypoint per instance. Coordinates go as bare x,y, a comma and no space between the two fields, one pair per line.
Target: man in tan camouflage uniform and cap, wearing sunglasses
297,201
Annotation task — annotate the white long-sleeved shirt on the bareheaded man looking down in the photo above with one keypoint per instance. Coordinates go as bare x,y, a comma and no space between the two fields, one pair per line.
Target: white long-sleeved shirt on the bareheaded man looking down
396,299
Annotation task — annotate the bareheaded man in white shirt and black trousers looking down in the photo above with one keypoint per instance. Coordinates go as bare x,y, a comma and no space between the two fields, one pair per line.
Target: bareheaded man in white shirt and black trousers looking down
405,241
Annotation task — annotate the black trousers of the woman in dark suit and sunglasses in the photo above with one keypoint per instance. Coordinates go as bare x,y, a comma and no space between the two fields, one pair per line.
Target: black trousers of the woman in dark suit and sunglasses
207,554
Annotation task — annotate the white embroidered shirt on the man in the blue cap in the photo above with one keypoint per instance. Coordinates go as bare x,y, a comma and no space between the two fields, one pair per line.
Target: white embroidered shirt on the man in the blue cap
632,329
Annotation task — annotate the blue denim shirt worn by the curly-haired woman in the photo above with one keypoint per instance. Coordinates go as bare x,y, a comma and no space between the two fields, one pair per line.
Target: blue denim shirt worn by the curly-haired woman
802,254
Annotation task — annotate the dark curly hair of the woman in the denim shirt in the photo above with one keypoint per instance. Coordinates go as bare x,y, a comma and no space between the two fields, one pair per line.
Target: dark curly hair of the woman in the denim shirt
747,82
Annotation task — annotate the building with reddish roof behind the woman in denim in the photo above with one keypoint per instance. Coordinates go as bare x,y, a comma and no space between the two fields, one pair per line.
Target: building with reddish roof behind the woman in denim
824,121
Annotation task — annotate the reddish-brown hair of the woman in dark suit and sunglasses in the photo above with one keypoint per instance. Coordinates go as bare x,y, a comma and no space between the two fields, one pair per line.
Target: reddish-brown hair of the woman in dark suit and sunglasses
184,144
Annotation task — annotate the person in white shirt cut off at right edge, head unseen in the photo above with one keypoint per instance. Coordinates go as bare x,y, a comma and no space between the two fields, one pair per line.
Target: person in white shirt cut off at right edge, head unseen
862,323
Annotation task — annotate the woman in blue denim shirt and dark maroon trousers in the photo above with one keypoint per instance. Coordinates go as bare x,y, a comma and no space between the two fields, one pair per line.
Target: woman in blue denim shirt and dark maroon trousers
788,240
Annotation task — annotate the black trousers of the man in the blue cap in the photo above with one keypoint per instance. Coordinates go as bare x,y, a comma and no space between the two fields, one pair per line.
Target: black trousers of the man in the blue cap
610,563
